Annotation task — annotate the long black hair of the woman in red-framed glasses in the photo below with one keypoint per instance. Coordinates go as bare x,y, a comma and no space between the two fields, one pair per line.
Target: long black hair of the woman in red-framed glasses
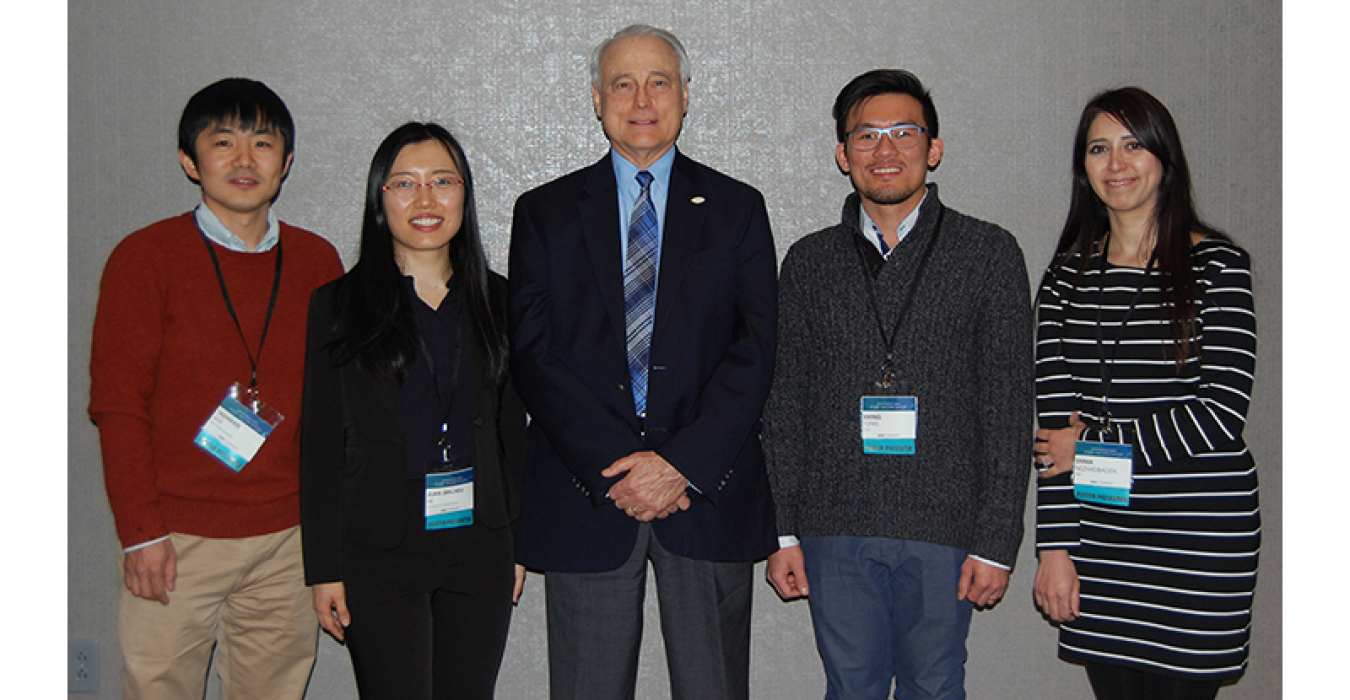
373,319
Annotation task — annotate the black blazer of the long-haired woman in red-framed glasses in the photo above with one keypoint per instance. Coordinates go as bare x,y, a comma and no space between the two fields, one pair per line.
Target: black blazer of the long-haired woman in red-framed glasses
353,484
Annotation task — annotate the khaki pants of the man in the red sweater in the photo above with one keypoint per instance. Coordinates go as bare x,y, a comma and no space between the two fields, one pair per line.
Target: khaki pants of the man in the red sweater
249,597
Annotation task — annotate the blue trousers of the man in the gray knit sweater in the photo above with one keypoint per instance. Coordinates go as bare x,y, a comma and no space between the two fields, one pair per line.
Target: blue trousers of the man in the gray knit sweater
888,610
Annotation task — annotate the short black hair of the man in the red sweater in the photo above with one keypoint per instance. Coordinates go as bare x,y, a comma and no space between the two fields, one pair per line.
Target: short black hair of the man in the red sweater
241,102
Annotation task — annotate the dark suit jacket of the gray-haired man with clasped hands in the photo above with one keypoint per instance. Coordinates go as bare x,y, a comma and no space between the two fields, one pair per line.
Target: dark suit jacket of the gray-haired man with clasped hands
712,361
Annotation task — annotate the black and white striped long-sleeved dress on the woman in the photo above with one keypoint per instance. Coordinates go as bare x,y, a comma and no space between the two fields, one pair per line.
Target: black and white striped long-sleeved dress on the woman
1167,582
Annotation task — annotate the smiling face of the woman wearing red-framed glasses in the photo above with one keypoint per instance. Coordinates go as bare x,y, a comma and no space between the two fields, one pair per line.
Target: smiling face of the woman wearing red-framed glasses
422,218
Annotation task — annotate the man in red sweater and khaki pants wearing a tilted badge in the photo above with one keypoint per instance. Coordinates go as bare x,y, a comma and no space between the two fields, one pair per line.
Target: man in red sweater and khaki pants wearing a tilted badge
196,369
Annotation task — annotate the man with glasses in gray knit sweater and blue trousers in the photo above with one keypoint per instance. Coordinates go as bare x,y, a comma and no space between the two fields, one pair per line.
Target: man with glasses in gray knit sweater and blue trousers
900,427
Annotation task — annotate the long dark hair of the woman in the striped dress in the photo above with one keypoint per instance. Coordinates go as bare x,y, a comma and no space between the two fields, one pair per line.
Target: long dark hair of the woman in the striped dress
1174,215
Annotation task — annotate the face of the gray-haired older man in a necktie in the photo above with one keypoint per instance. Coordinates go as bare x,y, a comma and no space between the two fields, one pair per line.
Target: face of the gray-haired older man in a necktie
641,99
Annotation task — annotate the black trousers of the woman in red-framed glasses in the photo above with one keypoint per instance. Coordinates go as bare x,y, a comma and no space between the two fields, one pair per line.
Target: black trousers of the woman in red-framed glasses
430,620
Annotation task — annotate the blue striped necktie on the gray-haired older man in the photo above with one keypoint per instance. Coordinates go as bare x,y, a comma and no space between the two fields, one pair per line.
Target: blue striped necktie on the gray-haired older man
641,288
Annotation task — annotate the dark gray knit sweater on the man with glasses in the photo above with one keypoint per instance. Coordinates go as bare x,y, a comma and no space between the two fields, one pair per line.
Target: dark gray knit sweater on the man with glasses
966,351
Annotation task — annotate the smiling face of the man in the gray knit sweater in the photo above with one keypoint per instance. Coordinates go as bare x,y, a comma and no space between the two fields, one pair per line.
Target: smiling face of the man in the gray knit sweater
888,176
